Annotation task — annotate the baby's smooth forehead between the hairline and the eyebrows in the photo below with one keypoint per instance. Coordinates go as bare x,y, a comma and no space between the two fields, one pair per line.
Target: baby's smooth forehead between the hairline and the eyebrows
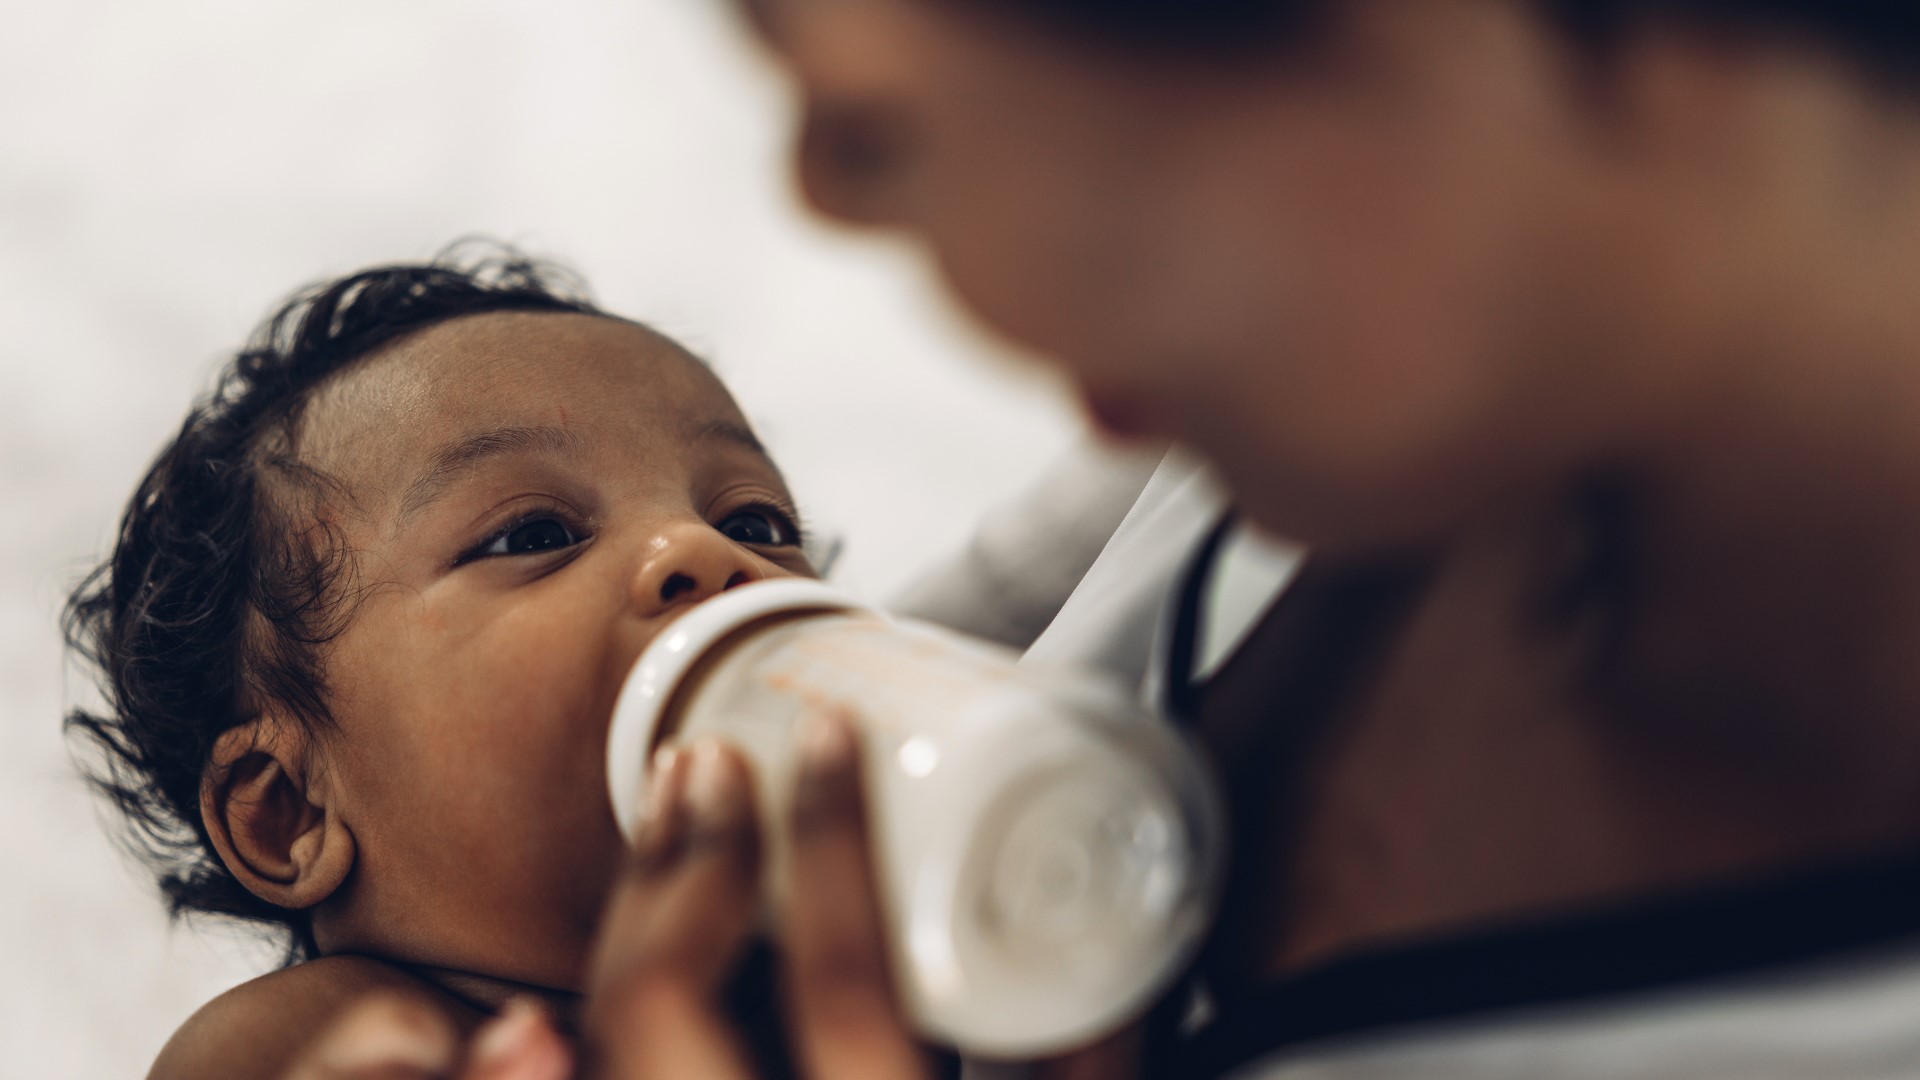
504,370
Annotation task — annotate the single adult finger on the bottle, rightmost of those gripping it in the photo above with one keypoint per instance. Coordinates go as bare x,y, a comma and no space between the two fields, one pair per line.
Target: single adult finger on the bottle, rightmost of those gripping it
848,1021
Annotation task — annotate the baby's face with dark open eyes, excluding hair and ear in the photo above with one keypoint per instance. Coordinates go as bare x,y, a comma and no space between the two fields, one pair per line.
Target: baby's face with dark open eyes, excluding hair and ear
531,499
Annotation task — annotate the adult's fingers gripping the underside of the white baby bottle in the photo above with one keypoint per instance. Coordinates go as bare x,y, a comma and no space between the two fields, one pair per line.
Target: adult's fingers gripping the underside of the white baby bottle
688,902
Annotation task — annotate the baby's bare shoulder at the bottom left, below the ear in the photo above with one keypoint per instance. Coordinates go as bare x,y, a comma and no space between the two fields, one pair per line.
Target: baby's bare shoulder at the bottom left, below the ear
254,1029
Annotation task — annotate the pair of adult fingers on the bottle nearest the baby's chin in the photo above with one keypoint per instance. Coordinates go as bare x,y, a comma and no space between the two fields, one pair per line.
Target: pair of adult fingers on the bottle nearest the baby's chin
677,923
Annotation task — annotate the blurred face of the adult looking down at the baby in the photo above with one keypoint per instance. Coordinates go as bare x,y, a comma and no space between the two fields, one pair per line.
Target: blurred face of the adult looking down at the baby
1351,270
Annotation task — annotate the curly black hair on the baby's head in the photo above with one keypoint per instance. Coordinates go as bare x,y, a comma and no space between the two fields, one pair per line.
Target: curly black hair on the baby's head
226,587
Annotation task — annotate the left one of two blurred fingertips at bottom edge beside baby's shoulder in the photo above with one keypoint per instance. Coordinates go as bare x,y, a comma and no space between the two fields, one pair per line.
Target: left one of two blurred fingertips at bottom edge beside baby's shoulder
381,1039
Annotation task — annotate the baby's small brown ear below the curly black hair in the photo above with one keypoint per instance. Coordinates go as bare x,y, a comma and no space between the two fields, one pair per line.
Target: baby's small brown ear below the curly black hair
270,816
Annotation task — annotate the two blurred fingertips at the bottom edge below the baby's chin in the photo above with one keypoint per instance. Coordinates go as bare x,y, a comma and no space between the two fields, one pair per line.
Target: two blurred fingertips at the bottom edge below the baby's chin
393,1039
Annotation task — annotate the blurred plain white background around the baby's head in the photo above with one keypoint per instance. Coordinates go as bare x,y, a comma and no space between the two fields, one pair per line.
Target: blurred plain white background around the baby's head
172,168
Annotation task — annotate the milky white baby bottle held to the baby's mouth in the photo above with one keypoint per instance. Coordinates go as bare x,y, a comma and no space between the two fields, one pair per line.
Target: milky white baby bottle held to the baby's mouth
1045,852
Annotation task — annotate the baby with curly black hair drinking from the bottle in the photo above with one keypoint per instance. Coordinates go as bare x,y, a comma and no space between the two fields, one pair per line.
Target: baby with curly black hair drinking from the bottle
366,622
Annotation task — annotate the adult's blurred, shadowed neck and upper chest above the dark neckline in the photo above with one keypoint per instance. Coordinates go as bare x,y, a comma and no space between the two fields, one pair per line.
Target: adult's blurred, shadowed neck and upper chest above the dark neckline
1737,702
